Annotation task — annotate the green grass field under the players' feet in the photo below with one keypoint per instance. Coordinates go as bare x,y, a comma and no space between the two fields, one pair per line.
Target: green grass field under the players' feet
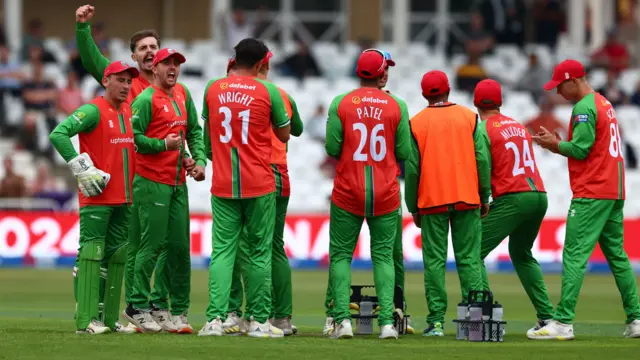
36,322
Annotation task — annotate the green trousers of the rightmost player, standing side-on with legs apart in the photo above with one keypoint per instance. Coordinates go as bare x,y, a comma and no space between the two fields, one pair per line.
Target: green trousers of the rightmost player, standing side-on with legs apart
592,221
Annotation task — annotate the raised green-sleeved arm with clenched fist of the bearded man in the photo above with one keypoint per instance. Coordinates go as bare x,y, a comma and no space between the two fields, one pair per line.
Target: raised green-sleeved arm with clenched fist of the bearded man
92,59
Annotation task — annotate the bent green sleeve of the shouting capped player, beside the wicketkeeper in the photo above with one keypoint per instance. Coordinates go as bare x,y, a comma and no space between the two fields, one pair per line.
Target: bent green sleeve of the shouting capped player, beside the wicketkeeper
141,110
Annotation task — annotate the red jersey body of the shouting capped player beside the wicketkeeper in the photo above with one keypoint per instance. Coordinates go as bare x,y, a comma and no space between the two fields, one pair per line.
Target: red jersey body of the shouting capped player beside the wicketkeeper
168,115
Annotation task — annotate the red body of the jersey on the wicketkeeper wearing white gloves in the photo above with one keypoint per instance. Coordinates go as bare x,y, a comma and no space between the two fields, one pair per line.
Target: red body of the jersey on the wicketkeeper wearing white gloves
111,148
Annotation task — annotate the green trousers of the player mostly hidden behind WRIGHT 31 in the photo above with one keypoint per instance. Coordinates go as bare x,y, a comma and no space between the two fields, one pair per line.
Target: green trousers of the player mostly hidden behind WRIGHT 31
282,297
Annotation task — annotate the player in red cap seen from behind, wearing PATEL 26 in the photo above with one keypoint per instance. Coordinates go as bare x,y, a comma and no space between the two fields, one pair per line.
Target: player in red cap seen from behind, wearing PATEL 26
367,132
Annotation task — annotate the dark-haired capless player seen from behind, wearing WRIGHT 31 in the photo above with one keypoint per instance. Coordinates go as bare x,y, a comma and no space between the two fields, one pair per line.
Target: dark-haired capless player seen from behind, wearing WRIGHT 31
241,113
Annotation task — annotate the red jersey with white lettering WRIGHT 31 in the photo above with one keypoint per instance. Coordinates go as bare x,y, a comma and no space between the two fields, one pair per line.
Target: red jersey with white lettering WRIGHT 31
240,111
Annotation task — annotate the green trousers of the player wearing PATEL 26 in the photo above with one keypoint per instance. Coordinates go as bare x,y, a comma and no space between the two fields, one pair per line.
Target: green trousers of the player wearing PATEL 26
344,230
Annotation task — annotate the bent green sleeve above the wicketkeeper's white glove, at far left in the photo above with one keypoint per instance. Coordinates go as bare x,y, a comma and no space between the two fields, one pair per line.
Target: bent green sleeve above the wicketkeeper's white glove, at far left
85,119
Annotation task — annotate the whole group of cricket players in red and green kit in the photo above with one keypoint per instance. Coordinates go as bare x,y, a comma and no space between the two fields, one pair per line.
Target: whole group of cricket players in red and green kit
134,207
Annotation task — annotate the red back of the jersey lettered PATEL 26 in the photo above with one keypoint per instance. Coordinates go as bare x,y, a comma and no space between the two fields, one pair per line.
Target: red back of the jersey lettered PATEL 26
366,182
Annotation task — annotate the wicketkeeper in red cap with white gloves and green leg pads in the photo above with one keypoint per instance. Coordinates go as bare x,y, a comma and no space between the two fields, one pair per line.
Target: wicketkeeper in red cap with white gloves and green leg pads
104,170
